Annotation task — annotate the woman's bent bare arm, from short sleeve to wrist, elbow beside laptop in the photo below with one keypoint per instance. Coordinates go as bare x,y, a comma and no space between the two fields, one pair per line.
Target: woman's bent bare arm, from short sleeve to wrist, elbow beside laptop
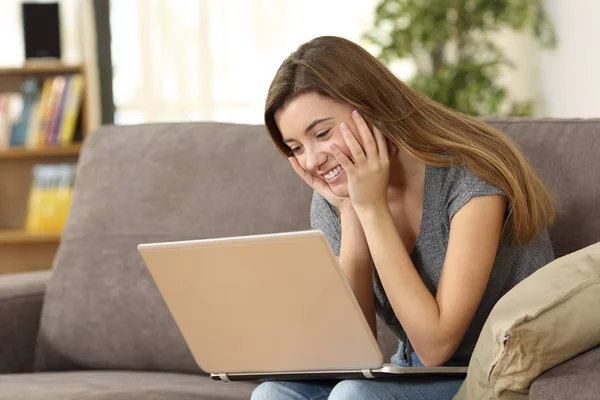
436,325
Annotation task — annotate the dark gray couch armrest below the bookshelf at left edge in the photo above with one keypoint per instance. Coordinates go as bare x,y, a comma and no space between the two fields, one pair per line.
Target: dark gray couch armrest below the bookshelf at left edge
21,299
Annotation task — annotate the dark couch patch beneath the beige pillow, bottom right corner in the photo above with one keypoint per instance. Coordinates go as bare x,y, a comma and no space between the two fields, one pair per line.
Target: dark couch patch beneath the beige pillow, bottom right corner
573,379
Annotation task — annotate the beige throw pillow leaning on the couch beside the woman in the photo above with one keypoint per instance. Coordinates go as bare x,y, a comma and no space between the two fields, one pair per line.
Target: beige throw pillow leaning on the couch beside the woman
546,319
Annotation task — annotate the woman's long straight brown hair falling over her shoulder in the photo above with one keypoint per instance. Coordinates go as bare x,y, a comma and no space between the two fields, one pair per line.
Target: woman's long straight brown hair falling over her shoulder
432,133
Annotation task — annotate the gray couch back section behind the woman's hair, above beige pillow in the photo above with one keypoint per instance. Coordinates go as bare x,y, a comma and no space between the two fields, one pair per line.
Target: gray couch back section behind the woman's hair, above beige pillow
566,155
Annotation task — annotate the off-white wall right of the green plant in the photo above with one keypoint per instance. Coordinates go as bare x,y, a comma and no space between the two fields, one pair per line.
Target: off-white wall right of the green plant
563,82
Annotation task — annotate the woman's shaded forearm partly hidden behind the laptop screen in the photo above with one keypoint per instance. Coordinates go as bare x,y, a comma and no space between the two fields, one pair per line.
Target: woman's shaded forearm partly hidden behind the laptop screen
355,260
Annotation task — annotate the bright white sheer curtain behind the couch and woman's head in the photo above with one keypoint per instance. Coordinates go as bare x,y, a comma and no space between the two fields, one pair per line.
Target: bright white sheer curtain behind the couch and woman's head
181,60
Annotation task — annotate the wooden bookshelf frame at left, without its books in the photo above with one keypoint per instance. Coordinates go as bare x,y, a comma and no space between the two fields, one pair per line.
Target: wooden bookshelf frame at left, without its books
21,250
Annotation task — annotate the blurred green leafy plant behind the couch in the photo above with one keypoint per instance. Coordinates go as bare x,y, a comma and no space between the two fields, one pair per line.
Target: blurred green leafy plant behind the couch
450,41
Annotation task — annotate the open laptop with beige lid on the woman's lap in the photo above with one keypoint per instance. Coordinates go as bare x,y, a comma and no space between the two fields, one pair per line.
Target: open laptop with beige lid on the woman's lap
268,307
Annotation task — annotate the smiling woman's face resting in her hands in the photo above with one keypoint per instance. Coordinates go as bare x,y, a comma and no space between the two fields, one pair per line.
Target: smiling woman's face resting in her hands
309,124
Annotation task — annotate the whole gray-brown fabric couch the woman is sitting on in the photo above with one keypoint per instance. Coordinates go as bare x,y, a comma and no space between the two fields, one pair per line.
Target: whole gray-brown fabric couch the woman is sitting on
96,327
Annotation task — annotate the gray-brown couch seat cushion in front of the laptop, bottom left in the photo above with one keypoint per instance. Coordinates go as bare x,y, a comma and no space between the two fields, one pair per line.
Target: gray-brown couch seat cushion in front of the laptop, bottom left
117,385
